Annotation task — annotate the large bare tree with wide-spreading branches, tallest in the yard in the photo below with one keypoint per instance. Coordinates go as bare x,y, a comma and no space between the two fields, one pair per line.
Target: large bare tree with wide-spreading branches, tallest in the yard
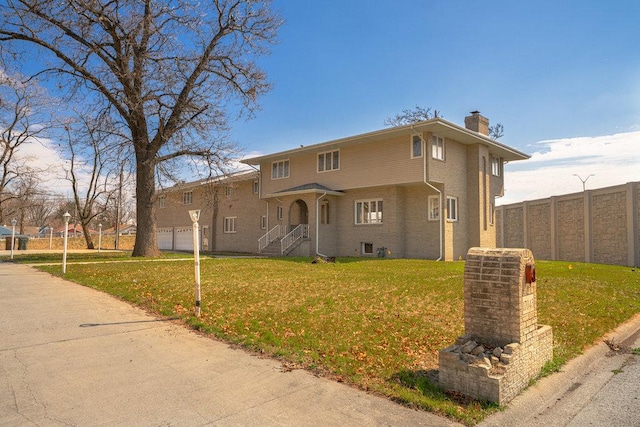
168,71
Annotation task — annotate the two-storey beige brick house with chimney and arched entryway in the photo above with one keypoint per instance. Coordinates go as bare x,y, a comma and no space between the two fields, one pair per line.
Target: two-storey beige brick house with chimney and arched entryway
424,190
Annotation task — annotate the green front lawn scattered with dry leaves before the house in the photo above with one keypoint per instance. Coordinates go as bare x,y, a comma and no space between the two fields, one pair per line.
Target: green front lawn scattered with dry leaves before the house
375,323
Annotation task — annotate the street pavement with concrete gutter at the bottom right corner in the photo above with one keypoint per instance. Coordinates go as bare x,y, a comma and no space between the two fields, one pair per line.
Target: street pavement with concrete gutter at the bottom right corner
599,388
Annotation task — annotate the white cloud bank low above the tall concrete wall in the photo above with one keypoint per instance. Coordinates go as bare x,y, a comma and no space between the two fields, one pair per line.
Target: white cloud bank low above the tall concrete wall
612,159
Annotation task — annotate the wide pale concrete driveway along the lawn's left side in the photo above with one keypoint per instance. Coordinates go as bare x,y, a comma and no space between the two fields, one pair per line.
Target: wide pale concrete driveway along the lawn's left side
70,355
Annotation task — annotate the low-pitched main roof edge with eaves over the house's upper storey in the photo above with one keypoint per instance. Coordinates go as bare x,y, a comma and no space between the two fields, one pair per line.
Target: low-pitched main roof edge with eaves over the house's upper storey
437,126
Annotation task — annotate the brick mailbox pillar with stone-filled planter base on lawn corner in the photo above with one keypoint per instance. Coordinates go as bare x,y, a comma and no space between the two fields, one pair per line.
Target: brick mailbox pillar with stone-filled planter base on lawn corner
503,347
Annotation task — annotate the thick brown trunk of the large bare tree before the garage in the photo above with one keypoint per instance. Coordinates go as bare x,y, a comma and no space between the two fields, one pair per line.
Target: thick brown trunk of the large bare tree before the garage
146,237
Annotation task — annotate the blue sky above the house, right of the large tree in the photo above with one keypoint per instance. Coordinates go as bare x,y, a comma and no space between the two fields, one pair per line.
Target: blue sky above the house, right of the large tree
547,70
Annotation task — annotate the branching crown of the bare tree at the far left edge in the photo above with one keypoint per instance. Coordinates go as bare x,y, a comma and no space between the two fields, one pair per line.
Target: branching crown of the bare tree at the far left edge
20,103
